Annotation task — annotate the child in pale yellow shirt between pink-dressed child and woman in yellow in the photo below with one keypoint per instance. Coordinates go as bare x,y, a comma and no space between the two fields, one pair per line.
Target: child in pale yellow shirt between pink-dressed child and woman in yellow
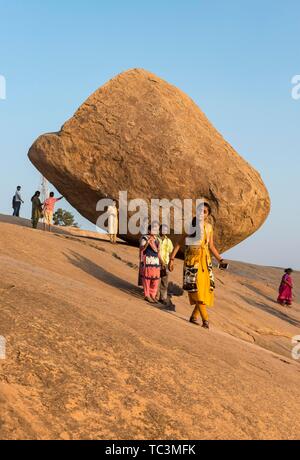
166,248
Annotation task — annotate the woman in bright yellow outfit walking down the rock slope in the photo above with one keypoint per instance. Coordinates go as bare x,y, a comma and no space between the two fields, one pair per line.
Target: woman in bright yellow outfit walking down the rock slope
198,273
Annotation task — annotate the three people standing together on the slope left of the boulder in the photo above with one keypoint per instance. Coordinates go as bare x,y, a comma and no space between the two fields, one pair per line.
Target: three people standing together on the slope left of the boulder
39,211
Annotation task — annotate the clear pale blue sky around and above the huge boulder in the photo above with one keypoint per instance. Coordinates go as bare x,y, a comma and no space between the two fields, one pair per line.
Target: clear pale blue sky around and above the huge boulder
235,58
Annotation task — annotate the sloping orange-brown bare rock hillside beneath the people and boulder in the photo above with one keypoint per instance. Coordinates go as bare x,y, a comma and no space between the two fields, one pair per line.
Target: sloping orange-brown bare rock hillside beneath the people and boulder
86,357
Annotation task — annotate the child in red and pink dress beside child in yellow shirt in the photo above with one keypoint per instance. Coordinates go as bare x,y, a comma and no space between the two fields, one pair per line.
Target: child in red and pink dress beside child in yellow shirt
150,262
